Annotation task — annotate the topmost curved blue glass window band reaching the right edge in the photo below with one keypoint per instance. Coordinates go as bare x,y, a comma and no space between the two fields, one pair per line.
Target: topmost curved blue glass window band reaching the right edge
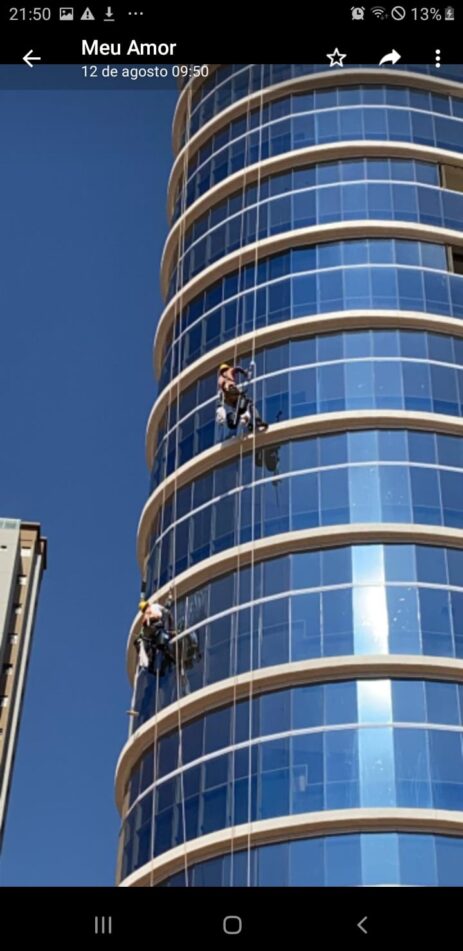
302,120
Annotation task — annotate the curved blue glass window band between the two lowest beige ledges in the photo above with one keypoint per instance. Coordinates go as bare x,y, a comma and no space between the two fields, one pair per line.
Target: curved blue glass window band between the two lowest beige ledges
333,746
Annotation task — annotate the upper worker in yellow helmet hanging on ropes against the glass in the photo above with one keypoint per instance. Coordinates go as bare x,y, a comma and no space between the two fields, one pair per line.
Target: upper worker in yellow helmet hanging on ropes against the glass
235,407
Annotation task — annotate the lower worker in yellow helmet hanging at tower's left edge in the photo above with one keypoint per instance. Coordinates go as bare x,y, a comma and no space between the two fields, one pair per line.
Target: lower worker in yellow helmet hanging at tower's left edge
156,635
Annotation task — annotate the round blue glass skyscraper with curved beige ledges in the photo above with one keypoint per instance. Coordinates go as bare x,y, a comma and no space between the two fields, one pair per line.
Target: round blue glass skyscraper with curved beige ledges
316,736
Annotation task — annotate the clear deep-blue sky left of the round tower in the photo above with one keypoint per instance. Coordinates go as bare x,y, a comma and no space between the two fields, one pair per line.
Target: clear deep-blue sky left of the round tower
83,180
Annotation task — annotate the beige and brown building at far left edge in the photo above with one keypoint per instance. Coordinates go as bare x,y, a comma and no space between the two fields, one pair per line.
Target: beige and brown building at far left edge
23,559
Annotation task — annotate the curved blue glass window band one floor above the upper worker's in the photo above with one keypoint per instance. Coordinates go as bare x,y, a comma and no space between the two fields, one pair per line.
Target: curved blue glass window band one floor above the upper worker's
374,274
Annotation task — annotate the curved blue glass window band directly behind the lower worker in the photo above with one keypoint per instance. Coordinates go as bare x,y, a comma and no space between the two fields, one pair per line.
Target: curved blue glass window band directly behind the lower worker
309,604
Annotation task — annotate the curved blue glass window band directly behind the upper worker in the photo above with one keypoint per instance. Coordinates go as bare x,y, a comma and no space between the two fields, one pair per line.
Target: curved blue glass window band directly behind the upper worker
350,370
